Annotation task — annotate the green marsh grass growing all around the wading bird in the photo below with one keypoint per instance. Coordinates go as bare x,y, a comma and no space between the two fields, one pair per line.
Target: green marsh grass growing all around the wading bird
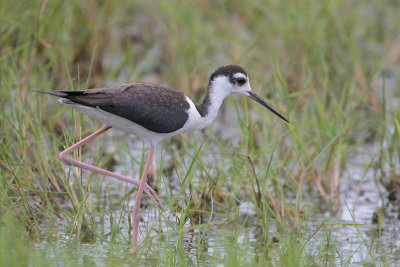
324,64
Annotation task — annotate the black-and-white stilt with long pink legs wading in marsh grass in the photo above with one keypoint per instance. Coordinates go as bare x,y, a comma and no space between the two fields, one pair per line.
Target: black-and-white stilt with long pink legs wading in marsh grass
153,112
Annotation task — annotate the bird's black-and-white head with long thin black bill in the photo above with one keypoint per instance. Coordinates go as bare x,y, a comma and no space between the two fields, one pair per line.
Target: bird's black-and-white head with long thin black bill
233,79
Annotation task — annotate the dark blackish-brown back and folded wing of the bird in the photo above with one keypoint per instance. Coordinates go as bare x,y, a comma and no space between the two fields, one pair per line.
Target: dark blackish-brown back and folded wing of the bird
156,108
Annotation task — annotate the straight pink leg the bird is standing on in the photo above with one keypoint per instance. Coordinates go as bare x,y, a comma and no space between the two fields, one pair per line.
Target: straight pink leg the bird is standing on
136,207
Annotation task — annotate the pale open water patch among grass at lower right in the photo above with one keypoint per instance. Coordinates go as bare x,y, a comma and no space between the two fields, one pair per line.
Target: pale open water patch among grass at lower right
354,230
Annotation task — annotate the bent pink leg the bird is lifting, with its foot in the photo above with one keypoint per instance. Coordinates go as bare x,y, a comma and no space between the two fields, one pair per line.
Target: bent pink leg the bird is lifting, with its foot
72,162
